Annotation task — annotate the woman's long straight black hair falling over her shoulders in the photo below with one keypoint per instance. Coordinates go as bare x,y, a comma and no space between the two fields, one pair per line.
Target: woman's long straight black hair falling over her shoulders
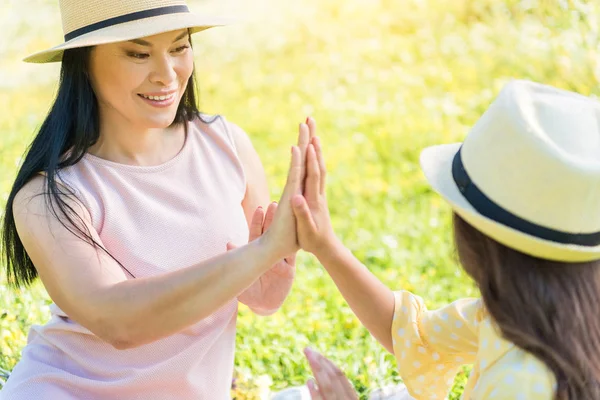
70,128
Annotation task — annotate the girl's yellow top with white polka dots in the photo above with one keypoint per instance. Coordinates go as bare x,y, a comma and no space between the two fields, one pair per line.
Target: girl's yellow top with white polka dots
431,346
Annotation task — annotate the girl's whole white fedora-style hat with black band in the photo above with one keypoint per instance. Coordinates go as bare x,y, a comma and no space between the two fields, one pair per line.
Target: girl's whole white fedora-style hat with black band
528,173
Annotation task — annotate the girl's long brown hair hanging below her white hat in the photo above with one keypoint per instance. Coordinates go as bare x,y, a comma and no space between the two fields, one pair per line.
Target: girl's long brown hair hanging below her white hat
547,308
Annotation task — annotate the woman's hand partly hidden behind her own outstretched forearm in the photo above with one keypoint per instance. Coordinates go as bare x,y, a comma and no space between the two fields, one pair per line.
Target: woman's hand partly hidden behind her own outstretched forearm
268,293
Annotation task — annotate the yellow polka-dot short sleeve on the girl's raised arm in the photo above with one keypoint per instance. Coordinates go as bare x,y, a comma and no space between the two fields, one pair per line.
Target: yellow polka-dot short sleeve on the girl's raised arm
430,346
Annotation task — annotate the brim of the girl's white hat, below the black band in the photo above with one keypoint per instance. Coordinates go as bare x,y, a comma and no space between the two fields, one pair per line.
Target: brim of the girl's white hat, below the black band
436,163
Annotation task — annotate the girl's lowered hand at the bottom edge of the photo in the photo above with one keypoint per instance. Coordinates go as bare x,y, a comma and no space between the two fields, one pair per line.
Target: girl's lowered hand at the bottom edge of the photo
331,383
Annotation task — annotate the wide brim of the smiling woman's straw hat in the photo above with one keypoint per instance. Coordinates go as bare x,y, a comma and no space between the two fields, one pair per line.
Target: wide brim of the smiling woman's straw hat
131,30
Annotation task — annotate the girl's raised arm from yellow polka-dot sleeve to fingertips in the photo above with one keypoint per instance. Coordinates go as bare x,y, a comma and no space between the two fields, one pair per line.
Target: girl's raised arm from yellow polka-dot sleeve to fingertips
430,346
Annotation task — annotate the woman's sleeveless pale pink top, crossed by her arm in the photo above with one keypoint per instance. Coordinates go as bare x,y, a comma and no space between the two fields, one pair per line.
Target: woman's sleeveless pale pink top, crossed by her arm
153,220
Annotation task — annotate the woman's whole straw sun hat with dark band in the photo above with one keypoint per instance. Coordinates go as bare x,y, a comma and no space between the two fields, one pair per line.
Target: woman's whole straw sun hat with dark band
93,22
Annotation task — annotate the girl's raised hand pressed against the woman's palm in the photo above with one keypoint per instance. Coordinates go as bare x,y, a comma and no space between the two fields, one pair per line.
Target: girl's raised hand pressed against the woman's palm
314,230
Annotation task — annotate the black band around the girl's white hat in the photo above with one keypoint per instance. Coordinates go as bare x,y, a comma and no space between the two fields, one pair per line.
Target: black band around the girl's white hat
488,208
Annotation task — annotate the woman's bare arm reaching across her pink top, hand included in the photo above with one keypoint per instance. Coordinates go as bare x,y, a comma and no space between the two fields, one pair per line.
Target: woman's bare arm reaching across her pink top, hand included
90,287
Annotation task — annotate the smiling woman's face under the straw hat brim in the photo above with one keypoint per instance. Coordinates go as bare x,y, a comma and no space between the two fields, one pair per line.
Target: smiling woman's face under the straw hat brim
142,81
